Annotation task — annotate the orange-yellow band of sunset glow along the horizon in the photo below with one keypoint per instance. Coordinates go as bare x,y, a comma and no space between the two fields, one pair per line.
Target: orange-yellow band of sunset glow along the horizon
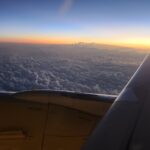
140,43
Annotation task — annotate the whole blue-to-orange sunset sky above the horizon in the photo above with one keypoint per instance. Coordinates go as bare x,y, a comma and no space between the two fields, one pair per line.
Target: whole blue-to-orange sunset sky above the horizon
115,22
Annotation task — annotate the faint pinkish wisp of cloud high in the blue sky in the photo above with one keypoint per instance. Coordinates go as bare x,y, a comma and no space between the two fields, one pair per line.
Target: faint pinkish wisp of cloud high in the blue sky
66,6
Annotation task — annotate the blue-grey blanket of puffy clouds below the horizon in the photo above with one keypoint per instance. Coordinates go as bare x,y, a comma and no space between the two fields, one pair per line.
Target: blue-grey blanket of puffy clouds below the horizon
81,68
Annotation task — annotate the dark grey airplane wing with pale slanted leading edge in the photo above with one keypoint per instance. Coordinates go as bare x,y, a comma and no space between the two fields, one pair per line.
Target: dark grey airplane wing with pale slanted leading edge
126,126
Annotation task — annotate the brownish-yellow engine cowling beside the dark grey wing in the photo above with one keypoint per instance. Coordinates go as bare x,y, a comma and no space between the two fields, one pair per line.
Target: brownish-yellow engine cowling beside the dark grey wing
44,120
